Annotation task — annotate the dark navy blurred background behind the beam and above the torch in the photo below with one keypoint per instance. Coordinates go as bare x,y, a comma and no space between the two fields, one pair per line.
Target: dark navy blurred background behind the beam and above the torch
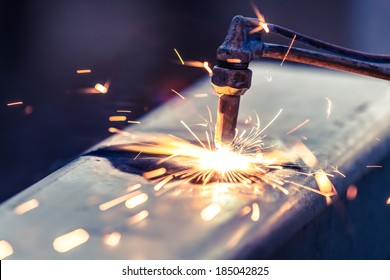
129,43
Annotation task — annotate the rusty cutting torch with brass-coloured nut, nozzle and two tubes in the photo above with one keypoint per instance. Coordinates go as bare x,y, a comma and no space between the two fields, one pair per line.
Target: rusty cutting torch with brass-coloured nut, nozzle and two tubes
232,78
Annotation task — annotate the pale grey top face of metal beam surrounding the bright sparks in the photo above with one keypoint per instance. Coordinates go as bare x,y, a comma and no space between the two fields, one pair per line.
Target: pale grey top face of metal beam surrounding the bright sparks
69,199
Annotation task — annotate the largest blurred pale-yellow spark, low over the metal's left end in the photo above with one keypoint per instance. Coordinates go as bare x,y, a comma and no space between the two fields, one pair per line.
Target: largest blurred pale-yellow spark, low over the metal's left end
71,240
